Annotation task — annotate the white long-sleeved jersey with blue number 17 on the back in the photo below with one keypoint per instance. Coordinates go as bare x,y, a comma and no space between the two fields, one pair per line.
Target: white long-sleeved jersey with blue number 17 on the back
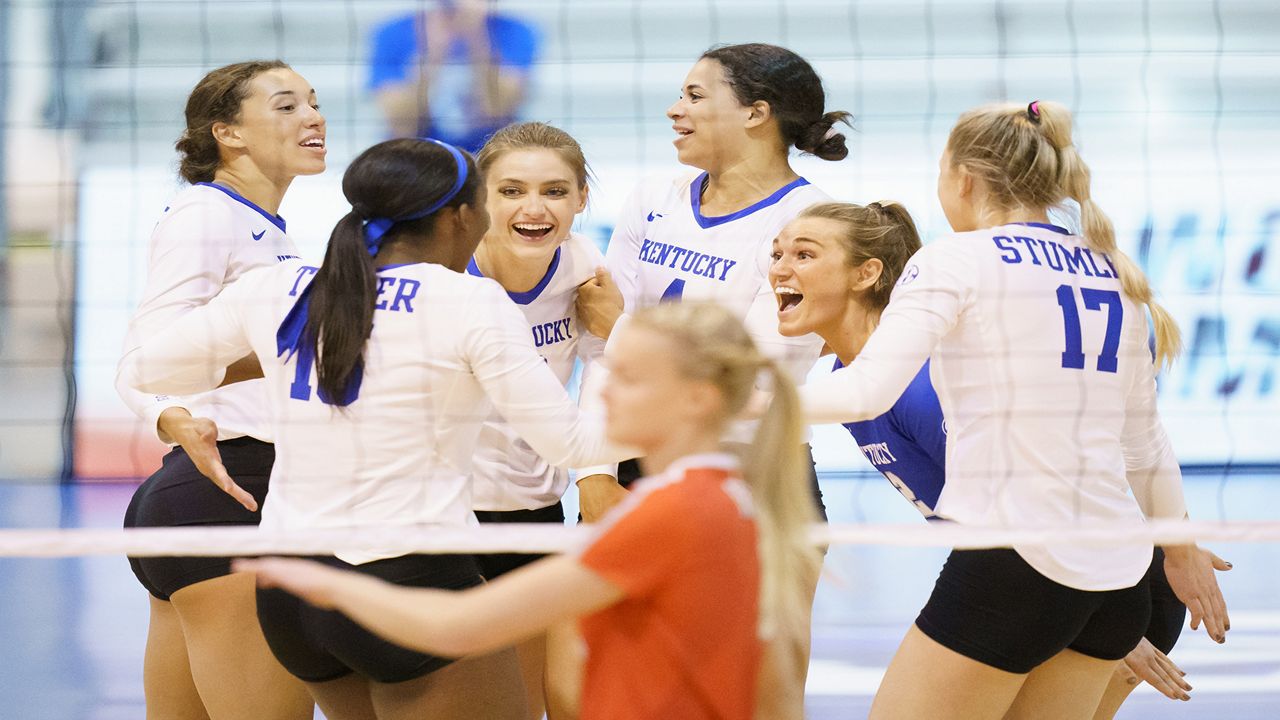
1048,385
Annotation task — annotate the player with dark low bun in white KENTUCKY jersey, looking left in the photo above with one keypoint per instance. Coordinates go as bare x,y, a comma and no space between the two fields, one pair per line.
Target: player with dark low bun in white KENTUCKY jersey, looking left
706,235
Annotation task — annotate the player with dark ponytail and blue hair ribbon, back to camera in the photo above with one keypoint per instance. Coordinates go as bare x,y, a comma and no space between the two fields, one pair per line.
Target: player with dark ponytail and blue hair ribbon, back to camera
381,367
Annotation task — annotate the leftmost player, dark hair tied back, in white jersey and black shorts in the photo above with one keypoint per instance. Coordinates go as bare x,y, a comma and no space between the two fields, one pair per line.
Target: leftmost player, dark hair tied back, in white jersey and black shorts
252,129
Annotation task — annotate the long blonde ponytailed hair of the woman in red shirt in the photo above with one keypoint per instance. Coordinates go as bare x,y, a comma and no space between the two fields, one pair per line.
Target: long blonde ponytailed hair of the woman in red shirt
714,347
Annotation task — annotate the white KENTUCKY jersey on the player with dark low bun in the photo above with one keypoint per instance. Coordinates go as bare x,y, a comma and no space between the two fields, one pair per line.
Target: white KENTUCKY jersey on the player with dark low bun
665,249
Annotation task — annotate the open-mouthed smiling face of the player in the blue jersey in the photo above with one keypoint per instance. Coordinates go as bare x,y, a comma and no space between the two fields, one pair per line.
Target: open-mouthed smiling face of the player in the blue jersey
812,279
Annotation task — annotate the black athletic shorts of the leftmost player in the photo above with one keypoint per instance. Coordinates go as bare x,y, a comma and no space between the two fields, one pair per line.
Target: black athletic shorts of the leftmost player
179,495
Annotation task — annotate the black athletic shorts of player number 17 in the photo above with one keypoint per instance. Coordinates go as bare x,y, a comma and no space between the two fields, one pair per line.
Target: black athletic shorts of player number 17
991,607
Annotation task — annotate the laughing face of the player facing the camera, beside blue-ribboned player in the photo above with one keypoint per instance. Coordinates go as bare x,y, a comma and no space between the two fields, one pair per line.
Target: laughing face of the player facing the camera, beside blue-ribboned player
533,198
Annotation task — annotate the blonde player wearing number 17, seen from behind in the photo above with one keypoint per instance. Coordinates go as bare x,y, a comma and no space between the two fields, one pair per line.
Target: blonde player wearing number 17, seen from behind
1040,358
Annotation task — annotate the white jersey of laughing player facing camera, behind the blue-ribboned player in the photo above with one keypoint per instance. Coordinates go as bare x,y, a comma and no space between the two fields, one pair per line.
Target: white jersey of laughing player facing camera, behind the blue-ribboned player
509,473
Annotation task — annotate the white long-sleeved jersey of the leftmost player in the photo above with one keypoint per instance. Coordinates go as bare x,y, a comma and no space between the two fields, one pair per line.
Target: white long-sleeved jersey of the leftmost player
208,238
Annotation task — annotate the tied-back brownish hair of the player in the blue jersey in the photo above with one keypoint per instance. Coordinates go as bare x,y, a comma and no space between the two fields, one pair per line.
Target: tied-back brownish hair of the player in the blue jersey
883,231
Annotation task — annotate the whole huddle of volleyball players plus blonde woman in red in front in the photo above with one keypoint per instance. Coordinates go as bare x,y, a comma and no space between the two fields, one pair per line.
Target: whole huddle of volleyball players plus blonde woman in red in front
419,376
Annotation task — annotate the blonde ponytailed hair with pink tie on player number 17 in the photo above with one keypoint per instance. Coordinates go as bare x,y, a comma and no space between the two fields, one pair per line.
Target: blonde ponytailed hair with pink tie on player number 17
1027,158
